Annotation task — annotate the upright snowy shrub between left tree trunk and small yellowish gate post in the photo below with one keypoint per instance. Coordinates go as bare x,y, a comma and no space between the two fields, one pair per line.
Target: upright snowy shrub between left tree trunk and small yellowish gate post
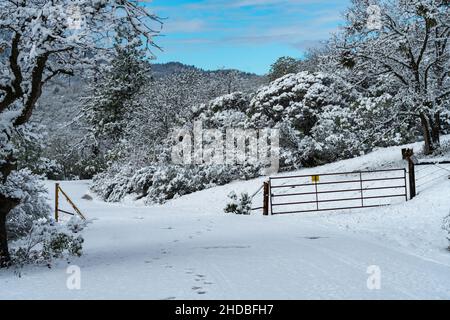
33,204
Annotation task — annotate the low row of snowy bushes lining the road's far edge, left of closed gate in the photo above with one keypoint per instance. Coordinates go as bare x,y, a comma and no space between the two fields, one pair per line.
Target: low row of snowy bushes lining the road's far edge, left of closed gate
163,182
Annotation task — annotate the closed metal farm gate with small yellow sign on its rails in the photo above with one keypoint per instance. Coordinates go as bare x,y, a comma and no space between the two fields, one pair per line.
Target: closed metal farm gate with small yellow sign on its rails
336,191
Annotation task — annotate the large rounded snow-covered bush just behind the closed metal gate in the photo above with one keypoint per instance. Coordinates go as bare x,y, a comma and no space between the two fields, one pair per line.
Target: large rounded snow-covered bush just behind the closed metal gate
323,118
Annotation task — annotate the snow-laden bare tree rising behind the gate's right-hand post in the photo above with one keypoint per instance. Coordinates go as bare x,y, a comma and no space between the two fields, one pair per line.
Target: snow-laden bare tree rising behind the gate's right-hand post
405,44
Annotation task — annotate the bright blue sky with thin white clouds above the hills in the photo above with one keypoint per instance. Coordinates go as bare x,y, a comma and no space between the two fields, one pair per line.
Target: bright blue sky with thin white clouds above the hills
242,34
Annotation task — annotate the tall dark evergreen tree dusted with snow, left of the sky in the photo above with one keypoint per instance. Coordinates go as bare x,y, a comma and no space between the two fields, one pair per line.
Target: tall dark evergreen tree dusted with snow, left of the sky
114,96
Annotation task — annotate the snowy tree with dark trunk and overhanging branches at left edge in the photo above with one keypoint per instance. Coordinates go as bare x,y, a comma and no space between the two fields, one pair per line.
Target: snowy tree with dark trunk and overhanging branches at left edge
40,40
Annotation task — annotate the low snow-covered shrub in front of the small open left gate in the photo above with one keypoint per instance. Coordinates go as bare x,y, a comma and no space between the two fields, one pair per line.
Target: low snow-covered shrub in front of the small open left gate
47,241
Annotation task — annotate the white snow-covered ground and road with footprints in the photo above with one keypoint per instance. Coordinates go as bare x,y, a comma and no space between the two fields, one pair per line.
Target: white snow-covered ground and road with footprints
189,249
